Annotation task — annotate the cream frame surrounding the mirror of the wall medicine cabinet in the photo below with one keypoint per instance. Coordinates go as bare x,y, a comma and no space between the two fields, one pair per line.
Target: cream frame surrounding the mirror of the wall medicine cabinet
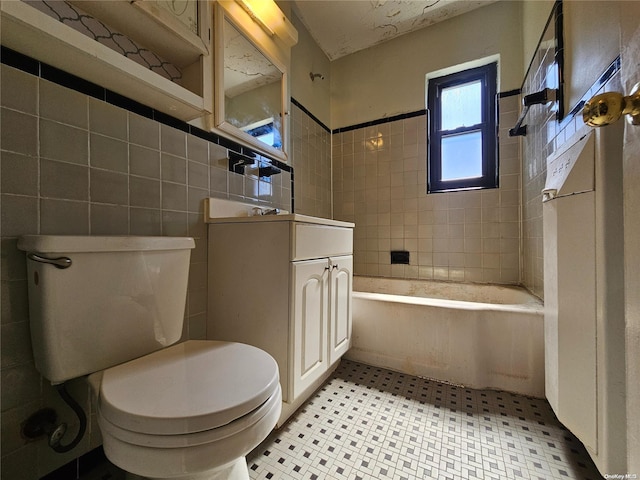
230,11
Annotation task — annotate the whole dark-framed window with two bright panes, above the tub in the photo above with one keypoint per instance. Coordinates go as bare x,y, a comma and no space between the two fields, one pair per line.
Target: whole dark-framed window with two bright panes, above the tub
462,130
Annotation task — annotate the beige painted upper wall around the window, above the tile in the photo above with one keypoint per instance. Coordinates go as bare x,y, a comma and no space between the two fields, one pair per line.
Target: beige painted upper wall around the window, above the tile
389,79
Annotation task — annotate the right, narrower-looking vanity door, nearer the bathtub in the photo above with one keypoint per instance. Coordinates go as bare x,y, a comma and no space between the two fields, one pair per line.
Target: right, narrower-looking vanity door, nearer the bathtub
340,289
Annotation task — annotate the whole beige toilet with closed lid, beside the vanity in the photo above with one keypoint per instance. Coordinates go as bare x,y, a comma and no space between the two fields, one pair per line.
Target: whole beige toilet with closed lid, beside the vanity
112,309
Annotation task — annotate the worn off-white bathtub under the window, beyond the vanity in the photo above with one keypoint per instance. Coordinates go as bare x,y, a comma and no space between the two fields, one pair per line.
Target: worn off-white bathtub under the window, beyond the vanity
481,336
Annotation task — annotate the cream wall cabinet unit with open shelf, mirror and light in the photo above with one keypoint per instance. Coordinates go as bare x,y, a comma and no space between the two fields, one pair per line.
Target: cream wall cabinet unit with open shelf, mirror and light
241,90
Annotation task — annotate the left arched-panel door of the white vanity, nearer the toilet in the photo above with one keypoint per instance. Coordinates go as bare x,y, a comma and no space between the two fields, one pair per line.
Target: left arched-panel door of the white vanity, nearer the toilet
310,314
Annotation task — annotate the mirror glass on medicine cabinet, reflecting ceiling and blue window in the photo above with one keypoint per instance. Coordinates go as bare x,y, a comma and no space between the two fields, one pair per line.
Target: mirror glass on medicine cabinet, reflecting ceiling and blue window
250,90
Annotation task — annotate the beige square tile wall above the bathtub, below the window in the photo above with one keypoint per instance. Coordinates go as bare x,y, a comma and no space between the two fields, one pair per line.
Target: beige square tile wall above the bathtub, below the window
379,182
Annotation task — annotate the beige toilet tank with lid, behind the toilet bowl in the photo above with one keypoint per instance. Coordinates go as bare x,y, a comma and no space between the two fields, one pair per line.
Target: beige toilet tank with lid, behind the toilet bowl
120,298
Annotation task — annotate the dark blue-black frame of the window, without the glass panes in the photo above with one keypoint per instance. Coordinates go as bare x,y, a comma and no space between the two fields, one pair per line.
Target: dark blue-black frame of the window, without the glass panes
487,74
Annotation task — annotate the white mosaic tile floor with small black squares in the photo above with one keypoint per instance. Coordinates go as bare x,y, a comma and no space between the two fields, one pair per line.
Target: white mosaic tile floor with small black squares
371,423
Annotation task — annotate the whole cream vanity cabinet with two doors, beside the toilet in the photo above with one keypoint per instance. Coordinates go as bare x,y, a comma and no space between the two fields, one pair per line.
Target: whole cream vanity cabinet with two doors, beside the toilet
284,284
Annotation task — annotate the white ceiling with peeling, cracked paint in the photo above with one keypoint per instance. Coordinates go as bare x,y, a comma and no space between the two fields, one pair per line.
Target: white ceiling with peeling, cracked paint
341,27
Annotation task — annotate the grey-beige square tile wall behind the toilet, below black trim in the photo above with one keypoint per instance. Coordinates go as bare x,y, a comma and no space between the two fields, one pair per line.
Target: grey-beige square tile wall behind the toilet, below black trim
72,164
